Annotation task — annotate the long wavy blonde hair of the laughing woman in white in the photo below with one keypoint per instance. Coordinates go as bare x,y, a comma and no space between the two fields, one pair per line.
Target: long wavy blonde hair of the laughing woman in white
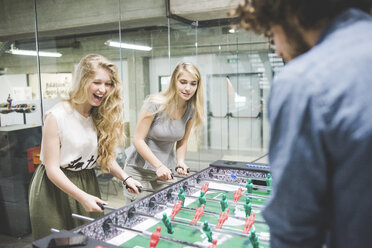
108,116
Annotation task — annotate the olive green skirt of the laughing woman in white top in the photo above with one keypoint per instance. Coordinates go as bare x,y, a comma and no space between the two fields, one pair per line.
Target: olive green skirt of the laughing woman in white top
50,207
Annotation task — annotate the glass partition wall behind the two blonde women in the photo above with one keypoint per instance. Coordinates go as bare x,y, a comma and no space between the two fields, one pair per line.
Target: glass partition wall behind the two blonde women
236,67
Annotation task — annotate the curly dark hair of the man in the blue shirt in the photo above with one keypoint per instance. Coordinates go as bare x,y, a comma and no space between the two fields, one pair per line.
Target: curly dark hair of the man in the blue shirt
260,15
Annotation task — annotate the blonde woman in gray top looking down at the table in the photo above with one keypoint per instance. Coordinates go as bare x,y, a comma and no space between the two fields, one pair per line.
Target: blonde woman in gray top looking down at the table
165,122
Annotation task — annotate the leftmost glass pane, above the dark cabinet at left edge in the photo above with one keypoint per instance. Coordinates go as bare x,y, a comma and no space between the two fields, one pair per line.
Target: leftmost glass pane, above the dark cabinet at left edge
16,70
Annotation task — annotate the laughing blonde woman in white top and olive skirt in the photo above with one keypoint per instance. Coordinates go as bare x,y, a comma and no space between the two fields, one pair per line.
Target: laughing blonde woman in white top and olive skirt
79,133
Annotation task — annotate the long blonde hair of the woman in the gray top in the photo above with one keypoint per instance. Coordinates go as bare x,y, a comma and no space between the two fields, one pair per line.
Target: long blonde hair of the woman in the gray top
168,100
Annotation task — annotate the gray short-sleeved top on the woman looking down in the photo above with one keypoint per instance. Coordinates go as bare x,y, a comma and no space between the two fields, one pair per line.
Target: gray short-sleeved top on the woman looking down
164,132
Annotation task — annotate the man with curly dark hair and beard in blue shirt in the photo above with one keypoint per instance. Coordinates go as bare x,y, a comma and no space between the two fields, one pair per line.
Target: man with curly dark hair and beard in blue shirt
320,114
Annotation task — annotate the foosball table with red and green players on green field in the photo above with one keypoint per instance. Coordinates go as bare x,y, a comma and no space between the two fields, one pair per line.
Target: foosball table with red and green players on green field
219,206
